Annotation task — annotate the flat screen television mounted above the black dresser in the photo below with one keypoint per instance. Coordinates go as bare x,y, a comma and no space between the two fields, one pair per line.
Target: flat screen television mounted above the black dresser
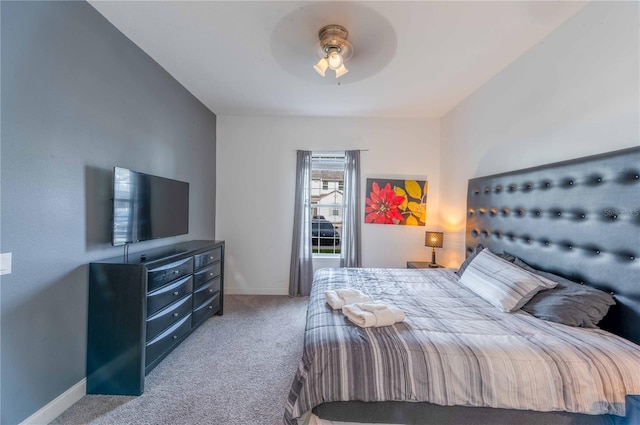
147,207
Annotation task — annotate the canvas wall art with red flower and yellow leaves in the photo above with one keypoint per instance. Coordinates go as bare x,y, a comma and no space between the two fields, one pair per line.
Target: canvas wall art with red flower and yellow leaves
396,202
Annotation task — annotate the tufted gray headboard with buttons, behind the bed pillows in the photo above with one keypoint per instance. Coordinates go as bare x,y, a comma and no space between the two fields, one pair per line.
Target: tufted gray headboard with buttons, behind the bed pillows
578,218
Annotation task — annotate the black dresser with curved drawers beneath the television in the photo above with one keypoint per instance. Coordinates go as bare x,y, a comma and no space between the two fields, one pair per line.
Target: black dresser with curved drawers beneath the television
144,305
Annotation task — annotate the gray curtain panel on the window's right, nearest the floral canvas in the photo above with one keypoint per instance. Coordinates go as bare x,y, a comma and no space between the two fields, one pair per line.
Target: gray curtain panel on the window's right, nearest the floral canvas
351,253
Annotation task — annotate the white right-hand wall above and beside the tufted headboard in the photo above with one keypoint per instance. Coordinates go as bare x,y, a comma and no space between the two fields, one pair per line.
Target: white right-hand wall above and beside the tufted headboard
574,94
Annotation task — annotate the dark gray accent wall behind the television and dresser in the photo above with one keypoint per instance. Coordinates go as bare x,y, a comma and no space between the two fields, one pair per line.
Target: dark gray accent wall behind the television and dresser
78,98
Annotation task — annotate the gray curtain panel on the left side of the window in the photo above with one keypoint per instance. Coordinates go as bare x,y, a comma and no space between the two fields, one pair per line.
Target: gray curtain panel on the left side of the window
301,270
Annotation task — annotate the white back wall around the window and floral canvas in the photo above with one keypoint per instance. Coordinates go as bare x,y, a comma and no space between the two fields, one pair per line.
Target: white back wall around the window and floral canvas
256,159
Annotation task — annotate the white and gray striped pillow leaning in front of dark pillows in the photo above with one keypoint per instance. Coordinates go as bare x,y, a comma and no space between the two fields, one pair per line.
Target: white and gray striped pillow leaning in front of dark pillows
502,283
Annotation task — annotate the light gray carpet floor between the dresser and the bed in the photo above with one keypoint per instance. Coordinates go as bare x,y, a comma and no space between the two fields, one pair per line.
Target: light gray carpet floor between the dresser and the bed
235,369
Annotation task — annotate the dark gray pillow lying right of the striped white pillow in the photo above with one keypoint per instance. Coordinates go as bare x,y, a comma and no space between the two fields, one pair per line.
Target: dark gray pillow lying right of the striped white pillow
569,302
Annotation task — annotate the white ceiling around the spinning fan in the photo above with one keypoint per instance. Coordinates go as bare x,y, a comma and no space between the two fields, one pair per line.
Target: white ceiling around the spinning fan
411,59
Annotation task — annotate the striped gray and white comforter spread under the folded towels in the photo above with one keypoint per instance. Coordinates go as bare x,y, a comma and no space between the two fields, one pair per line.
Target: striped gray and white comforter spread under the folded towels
455,349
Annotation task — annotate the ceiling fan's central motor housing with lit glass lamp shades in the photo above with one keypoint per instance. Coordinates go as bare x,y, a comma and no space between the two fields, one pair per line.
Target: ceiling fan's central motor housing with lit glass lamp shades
333,49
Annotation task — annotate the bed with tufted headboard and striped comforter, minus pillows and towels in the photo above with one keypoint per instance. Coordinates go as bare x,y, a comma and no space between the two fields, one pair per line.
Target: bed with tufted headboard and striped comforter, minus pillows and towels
579,219
